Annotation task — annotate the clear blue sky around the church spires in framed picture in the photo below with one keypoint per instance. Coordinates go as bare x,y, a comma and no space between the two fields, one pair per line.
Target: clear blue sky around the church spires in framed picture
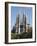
26,10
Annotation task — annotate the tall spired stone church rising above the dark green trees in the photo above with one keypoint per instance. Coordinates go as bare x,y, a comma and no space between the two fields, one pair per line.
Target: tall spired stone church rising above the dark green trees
21,23
